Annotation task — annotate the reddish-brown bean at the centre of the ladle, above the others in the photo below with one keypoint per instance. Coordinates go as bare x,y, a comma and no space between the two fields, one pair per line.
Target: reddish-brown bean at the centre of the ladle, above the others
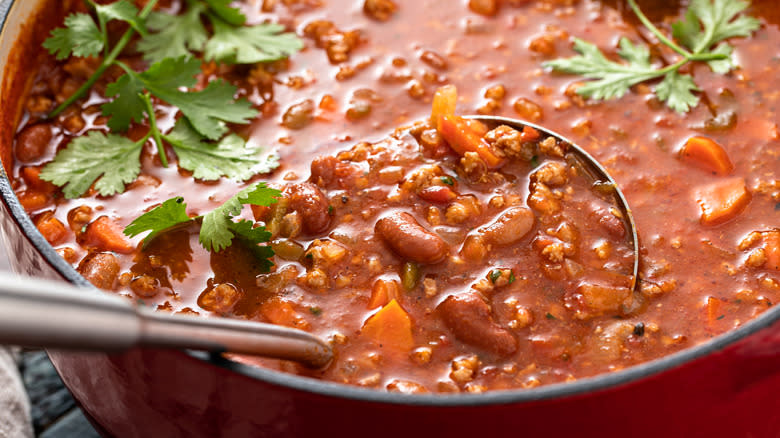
407,238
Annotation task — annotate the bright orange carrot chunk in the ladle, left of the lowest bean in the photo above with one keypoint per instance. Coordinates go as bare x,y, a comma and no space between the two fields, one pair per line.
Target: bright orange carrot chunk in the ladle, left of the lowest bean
391,328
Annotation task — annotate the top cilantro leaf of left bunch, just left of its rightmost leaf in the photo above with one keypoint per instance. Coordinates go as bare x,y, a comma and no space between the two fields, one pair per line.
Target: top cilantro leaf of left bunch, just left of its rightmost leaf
175,35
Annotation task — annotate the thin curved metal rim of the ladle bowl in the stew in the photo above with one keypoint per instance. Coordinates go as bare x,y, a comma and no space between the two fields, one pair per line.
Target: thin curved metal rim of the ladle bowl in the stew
596,173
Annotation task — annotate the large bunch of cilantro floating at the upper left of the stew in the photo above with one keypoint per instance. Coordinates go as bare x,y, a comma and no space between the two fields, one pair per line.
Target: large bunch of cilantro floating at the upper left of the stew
200,138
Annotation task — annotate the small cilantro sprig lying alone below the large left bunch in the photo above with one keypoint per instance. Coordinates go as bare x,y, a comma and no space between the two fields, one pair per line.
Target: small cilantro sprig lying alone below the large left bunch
218,229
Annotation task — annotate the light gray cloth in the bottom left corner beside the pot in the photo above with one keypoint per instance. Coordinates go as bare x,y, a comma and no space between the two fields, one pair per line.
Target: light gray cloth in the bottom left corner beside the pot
15,419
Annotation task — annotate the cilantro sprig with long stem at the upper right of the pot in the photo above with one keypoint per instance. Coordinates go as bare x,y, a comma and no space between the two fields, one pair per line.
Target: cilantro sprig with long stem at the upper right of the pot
701,36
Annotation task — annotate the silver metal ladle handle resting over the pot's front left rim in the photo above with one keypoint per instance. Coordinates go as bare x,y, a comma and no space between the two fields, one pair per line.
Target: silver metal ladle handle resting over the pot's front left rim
48,314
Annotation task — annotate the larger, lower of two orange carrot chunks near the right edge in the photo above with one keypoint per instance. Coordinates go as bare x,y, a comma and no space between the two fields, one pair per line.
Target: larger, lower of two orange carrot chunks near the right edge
722,201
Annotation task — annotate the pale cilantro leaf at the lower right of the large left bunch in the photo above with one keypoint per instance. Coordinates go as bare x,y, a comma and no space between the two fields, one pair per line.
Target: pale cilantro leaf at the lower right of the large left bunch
229,157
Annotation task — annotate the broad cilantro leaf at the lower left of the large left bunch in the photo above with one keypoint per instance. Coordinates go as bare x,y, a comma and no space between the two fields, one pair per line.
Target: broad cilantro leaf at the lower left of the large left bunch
111,158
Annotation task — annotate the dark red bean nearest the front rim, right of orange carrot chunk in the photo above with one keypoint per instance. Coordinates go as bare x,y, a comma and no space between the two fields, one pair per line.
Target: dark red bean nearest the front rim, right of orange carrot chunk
469,318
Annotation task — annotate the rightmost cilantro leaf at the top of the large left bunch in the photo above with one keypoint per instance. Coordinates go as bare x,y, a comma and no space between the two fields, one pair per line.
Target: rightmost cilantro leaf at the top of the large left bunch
250,45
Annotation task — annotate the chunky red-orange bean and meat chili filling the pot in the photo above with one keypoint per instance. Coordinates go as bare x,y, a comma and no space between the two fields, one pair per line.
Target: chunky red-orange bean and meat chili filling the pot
429,267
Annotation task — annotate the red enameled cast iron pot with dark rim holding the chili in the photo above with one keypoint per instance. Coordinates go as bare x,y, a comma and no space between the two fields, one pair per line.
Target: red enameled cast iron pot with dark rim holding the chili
727,387
